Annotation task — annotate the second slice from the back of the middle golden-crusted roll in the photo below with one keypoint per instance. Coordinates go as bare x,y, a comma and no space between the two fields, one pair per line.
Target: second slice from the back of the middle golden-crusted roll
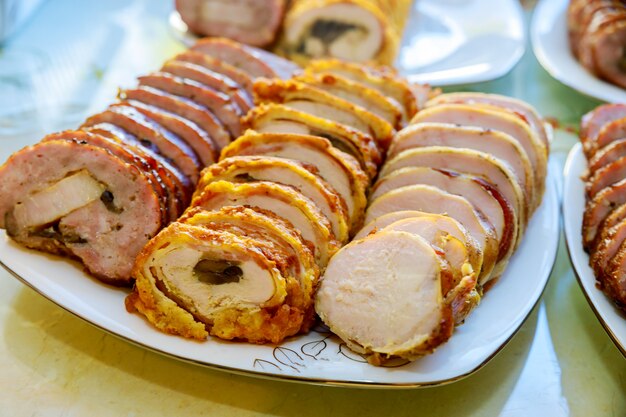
357,93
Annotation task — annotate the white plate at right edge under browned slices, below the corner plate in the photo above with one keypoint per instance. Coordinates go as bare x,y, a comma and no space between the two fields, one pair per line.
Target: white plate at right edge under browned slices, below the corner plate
612,319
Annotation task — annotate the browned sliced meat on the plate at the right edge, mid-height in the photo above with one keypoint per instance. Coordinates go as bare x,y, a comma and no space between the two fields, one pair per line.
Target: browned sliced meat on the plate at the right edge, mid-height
603,133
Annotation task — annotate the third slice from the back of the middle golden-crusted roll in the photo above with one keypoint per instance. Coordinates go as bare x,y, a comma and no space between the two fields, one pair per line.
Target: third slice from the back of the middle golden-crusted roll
319,103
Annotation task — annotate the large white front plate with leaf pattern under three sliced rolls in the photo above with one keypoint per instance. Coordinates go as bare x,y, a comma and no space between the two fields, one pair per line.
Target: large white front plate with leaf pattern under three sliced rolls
317,357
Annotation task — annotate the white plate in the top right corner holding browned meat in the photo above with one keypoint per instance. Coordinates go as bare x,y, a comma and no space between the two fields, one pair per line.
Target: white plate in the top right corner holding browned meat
551,45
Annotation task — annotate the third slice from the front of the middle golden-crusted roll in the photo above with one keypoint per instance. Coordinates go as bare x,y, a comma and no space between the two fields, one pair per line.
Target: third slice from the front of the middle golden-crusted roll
283,201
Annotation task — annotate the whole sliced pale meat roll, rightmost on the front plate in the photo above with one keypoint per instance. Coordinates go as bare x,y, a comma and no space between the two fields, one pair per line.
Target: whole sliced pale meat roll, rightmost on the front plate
446,213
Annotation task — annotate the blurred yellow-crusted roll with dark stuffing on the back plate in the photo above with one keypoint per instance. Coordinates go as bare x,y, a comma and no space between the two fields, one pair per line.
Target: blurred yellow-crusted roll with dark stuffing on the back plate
351,30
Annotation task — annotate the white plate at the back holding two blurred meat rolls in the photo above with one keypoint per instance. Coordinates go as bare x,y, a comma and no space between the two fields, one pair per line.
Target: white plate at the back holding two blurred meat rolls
448,42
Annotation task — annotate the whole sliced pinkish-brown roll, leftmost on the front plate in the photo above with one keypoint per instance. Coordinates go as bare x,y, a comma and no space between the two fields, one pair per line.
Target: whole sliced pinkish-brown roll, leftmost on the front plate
99,193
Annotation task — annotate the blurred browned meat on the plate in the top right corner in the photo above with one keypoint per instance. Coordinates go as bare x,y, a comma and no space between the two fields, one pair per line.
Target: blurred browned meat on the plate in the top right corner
597,34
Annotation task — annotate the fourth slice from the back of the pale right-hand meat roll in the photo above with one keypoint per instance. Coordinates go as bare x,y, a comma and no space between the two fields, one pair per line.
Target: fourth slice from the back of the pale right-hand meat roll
467,161
